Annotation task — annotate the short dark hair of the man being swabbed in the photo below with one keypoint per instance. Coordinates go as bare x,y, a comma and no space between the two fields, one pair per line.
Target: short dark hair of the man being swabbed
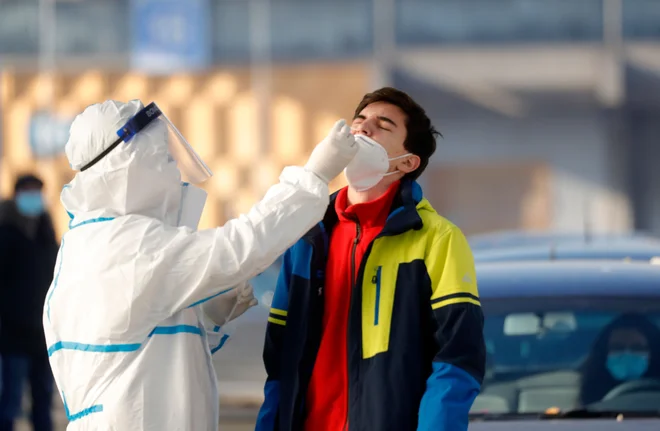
421,135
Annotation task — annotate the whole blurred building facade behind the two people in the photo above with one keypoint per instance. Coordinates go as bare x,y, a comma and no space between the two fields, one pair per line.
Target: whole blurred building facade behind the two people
548,108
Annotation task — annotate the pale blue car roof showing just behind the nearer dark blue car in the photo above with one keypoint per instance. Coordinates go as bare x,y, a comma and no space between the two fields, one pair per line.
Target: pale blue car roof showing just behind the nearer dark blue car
615,250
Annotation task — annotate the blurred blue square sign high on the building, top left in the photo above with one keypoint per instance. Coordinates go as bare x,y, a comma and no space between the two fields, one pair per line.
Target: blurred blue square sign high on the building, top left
170,35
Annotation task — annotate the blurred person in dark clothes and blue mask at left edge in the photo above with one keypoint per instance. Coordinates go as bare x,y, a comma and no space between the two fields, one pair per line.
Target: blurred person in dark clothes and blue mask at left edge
28,249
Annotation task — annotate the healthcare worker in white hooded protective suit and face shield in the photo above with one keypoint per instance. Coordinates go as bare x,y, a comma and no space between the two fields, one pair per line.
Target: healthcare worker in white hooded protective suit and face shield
126,317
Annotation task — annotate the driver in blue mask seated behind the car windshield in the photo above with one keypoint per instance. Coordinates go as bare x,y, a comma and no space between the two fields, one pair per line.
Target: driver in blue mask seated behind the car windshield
628,349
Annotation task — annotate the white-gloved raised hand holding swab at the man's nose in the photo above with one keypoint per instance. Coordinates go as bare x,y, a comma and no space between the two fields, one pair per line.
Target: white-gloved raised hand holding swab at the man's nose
334,153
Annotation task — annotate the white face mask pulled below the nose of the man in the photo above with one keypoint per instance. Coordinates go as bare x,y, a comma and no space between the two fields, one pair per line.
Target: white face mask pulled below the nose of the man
370,164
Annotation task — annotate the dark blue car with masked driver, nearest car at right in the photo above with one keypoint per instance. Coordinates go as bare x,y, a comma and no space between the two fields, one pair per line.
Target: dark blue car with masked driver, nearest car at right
559,337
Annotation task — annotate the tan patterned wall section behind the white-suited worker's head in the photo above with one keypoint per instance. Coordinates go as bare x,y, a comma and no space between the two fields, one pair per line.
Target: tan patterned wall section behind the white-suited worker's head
217,112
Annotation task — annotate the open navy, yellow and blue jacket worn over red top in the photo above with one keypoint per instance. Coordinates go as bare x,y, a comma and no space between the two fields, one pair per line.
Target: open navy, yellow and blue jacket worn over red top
419,366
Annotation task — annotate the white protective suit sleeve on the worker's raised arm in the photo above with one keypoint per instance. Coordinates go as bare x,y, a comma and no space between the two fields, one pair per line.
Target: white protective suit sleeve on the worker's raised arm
175,268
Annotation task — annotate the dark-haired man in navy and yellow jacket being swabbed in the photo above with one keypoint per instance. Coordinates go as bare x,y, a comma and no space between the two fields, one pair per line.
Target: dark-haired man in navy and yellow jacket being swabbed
376,323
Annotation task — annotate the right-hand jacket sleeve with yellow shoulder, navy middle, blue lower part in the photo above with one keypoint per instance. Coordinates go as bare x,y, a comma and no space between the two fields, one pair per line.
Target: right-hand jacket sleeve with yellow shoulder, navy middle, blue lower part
459,362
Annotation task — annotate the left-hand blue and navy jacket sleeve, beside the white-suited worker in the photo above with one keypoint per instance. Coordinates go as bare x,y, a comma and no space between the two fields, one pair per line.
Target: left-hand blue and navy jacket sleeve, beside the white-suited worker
266,421
